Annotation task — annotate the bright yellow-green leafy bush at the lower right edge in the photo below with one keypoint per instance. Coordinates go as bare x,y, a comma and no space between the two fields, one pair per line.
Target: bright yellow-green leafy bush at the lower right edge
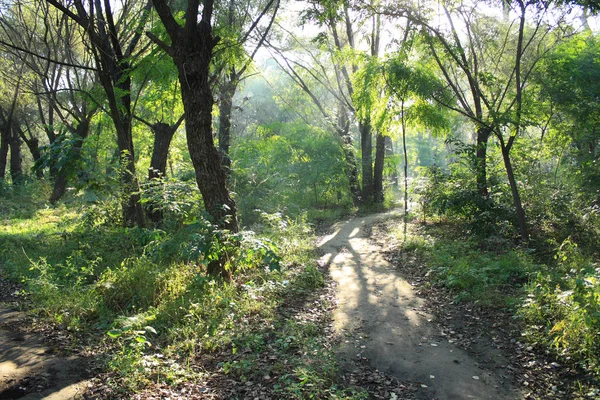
562,310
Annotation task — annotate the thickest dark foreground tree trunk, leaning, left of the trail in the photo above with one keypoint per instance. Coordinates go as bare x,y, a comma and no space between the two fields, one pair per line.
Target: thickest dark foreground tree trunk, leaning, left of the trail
191,48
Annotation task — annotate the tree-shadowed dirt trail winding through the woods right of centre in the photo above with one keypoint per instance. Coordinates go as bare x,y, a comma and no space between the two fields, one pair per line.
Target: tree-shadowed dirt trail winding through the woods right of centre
380,318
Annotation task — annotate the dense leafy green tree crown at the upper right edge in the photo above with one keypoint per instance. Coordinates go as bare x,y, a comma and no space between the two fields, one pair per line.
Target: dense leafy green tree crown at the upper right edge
568,83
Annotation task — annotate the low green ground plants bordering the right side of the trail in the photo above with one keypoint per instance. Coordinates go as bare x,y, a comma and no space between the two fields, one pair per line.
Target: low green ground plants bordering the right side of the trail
556,304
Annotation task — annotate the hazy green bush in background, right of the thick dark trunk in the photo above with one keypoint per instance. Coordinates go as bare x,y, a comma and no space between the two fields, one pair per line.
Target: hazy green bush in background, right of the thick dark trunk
293,165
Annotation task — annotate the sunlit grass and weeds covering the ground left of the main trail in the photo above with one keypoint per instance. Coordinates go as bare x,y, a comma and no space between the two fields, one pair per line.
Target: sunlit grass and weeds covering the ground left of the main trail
142,299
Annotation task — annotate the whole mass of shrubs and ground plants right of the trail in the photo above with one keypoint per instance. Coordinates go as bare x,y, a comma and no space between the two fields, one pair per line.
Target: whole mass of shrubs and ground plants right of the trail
551,284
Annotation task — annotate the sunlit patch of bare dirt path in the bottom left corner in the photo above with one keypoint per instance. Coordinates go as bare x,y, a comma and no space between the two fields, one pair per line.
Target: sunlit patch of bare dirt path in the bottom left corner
29,367
